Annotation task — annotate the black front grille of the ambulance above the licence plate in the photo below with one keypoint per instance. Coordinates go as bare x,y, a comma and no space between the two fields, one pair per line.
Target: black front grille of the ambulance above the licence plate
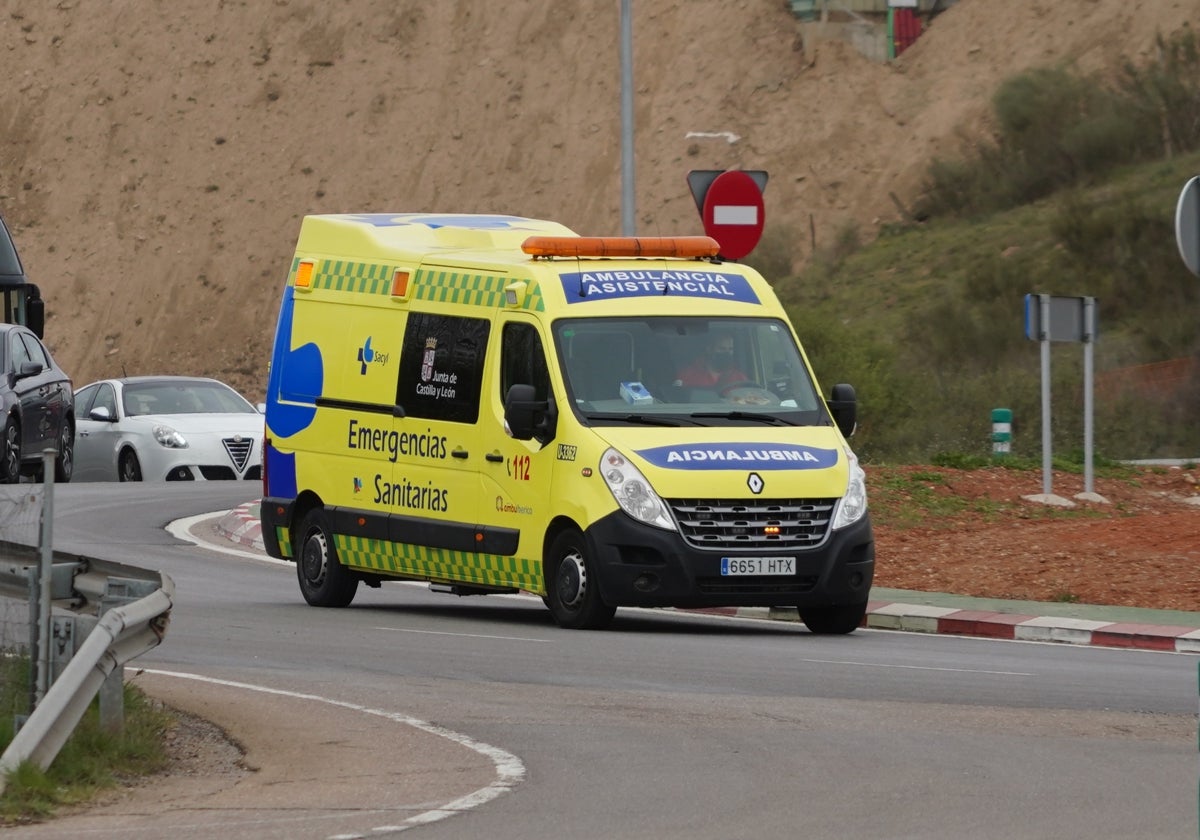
753,524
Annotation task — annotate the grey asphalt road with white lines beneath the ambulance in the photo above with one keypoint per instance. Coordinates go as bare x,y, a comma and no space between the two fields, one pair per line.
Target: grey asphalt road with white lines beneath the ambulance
478,718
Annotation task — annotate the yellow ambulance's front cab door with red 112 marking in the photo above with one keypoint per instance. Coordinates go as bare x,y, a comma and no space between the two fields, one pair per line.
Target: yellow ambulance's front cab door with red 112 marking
517,482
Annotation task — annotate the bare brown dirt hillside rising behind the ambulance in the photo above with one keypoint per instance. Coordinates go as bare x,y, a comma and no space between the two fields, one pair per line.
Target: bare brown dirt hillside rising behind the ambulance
158,157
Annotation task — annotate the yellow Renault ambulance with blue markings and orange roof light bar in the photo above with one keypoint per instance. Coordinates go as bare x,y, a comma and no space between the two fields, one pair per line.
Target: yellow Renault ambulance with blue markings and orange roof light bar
497,405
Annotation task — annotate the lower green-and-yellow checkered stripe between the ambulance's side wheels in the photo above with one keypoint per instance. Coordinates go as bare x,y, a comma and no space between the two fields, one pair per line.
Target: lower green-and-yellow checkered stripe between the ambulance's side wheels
403,559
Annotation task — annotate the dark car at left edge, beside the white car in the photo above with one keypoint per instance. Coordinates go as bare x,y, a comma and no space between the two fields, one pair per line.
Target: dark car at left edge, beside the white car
39,407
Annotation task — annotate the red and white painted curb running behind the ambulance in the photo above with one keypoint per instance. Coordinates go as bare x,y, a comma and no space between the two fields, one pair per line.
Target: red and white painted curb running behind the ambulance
243,526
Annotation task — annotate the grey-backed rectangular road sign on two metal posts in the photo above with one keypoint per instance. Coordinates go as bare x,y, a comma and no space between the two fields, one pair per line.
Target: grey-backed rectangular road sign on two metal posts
1051,319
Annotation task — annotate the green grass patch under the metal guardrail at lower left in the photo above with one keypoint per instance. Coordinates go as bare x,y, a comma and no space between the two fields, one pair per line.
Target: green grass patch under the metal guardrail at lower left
92,760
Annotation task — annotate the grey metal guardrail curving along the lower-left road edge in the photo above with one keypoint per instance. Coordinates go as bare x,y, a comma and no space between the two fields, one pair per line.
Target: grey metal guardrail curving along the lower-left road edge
85,586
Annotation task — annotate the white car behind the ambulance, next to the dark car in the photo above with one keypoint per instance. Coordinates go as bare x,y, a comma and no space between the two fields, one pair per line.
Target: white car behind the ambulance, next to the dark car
166,429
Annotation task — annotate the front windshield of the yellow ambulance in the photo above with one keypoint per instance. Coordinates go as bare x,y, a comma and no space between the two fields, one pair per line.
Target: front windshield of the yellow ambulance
687,371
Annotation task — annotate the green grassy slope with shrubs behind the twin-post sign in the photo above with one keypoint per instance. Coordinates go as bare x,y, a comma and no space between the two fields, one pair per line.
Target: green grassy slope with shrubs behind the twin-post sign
927,319
